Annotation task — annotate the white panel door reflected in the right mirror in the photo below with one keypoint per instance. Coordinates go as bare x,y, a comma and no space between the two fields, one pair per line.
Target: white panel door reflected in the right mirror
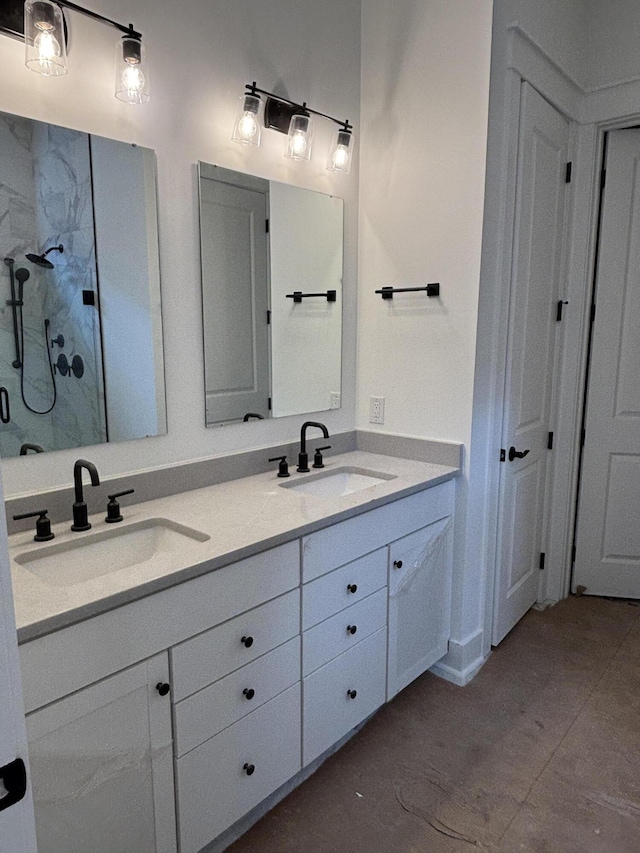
233,229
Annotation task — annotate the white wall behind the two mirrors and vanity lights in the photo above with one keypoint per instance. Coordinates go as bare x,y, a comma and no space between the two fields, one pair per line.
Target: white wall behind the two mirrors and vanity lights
201,55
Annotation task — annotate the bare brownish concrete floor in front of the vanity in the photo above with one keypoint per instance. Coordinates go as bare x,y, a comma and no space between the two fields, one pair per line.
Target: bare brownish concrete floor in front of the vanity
540,753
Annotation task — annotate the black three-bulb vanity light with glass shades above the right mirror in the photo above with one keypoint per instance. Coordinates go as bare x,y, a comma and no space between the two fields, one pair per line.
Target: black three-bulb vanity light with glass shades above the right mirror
296,120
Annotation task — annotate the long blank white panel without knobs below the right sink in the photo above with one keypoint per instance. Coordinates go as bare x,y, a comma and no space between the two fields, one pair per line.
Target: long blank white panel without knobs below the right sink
334,546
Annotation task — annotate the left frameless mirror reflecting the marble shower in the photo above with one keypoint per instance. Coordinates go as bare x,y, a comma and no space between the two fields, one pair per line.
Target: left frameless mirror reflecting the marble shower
81,357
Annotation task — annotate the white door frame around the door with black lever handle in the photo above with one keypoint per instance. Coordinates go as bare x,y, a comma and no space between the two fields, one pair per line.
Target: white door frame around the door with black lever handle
517,58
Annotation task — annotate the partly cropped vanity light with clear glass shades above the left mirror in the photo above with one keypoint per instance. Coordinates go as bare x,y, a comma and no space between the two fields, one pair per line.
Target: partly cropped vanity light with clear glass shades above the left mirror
45,47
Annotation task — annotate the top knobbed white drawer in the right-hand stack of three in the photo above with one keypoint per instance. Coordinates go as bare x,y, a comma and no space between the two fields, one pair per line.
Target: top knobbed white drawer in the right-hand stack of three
333,592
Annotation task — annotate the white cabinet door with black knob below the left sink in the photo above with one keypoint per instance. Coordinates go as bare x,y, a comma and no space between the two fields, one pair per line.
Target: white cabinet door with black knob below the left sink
102,766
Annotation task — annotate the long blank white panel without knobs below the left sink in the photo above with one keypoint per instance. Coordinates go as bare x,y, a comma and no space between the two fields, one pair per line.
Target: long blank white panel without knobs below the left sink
64,661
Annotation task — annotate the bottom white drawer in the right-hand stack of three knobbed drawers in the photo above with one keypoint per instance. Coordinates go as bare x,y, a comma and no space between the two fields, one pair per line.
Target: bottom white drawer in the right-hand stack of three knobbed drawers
329,710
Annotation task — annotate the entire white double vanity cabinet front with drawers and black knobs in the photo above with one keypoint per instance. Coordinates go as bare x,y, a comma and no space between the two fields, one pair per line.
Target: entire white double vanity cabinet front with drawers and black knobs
271,661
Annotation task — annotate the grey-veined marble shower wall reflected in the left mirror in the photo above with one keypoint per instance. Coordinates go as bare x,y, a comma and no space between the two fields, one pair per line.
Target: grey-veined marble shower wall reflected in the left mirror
45,200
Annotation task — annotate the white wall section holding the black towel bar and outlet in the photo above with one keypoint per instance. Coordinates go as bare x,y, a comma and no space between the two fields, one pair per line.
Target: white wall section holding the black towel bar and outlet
425,83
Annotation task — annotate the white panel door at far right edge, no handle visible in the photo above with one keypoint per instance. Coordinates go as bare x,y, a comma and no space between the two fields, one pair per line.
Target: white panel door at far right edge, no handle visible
608,541
